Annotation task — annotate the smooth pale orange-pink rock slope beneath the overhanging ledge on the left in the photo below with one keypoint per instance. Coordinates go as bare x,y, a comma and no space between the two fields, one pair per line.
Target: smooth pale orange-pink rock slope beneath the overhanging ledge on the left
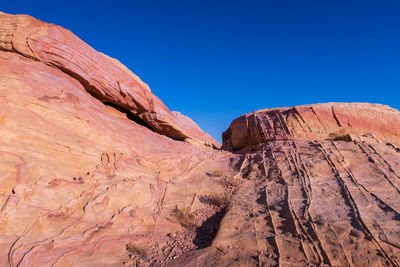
80,180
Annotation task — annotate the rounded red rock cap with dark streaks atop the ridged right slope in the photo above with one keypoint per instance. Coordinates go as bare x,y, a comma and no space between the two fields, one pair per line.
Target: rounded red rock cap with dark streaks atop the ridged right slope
313,122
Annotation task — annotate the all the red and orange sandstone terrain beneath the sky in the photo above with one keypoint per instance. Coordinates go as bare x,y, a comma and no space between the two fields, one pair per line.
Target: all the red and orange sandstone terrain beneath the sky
96,171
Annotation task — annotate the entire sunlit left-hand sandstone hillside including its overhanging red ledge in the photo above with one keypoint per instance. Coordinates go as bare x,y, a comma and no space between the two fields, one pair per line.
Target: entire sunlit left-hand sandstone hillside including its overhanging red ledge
90,159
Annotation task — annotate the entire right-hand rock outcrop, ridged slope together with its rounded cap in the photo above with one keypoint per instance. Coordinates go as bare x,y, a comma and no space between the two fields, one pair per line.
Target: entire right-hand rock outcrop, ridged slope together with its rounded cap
321,187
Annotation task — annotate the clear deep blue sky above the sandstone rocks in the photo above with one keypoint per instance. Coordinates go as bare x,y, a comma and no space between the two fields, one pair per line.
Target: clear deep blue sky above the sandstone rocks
215,60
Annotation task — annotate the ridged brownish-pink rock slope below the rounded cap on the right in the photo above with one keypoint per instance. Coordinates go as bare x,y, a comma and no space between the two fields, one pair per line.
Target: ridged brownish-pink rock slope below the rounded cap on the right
312,203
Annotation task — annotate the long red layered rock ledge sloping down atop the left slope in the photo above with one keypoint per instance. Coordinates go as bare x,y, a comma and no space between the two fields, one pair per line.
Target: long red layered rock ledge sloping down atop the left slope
105,78
